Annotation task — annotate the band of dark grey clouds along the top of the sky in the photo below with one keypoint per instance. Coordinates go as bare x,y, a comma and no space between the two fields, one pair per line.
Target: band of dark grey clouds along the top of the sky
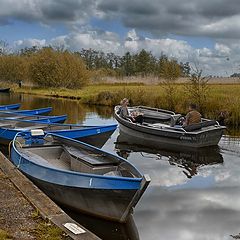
209,18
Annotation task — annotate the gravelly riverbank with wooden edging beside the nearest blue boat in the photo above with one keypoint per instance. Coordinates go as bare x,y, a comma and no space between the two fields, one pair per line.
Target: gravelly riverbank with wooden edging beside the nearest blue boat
27,213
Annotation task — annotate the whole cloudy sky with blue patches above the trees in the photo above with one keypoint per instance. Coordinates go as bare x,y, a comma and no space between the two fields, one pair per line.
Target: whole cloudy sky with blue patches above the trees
205,33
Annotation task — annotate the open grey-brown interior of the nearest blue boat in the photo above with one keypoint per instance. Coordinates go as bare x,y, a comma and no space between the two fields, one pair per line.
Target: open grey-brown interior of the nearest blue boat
72,158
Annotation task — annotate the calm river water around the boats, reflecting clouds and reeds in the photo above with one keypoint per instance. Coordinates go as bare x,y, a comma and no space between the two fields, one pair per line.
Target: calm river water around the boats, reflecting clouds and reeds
192,195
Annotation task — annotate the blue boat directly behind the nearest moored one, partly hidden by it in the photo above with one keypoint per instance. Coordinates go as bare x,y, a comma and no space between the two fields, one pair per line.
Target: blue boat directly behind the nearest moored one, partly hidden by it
95,135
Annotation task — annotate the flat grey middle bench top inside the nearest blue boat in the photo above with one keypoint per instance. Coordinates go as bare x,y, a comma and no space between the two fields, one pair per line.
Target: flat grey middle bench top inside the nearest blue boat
88,158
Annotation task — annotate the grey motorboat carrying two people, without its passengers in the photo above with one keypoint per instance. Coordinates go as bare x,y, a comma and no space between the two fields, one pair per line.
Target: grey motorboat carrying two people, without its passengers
162,133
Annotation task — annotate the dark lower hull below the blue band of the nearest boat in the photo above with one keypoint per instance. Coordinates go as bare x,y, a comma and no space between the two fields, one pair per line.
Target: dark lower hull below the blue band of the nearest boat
105,203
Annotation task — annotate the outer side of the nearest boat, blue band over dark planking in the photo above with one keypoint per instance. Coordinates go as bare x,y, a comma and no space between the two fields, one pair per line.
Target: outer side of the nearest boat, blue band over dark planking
107,197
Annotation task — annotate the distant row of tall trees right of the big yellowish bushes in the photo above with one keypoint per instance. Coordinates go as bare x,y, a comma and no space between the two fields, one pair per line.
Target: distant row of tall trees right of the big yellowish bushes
142,64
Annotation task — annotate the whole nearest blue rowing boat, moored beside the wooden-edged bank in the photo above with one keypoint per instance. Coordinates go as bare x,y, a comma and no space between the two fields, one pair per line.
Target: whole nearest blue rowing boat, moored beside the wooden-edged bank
79,176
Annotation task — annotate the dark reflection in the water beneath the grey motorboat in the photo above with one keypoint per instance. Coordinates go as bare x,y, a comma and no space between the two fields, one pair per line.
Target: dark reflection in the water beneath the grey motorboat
189,159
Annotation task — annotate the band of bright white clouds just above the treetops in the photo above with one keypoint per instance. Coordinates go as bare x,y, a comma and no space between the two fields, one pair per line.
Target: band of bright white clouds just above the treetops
221,60
